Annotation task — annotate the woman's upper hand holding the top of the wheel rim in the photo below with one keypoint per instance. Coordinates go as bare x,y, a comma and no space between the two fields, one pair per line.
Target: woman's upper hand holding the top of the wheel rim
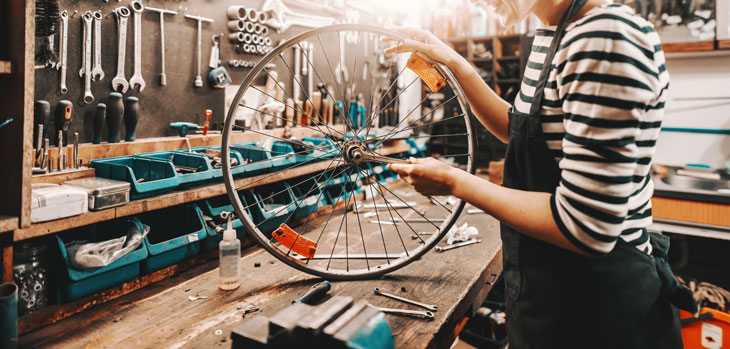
425,42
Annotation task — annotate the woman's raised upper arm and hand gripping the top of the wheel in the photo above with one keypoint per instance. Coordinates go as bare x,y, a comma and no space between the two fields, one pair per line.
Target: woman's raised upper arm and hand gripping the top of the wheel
489,108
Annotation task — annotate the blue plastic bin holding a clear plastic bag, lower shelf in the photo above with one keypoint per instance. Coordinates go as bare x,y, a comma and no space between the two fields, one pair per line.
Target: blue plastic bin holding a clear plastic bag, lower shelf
75,284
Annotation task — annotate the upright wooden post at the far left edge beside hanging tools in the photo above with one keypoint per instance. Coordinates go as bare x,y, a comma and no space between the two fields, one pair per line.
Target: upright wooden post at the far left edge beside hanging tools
16,97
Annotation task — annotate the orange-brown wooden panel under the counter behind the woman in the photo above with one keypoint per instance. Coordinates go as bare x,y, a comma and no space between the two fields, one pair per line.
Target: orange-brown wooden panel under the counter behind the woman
691,211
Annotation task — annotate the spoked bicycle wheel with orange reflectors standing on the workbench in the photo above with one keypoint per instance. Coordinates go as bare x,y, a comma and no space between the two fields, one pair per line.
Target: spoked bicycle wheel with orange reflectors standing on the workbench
348,219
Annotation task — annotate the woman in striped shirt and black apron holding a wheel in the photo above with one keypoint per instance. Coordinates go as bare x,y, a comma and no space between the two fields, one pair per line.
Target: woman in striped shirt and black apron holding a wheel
580,268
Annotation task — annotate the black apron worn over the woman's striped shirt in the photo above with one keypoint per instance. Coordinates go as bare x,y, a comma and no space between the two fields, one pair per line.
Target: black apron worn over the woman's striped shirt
556,298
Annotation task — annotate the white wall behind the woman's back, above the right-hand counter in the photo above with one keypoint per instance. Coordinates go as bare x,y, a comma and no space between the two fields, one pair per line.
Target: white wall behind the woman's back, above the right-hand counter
698,98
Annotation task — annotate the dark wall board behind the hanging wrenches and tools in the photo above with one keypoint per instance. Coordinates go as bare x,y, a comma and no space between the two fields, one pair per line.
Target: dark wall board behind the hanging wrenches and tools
159,105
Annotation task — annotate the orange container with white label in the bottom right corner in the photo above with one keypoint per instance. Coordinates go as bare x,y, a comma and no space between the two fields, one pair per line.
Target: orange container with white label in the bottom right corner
713,332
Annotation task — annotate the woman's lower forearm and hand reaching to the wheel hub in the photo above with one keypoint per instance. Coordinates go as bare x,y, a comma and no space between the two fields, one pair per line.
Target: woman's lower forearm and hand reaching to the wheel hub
525,211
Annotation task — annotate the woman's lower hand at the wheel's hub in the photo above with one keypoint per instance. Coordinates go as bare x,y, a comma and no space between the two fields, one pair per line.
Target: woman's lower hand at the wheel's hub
428,176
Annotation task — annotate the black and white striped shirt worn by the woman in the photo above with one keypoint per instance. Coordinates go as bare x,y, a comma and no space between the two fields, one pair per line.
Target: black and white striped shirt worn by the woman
601,115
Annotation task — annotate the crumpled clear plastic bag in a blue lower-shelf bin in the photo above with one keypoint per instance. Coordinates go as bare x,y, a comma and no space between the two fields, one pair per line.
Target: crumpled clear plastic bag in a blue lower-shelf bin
100,254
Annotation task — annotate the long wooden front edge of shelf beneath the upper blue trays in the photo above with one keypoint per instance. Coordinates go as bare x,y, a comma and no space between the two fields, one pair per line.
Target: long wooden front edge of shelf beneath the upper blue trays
177,197
